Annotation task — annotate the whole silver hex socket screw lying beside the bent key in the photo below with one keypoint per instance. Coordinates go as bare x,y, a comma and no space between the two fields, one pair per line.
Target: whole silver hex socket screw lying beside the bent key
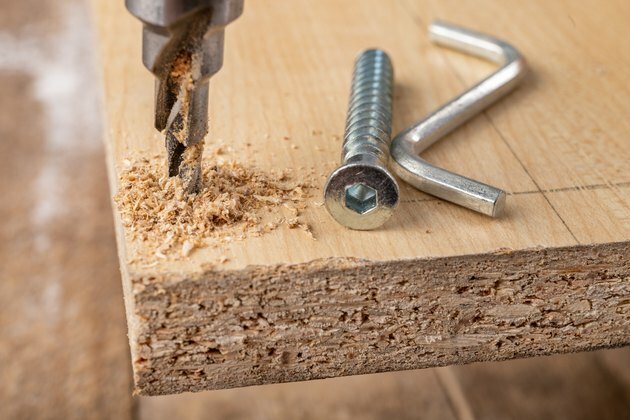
361,193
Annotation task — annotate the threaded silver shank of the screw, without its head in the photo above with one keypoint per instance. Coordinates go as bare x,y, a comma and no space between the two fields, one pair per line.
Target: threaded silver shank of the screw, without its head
369,122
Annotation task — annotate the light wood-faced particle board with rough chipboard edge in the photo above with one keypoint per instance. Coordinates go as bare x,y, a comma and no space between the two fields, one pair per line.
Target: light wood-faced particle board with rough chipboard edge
558,146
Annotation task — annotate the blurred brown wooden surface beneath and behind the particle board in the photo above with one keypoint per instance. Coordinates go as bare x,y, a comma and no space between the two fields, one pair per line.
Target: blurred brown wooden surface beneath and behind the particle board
63,343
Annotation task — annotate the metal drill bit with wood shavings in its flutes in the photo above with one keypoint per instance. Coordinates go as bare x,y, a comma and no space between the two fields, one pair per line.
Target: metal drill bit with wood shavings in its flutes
182,45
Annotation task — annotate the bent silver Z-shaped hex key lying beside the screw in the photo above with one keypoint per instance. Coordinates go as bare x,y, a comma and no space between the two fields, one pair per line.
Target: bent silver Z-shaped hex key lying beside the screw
409,143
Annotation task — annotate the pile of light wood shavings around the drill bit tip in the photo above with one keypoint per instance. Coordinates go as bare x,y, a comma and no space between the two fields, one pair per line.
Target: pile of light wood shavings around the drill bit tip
235,201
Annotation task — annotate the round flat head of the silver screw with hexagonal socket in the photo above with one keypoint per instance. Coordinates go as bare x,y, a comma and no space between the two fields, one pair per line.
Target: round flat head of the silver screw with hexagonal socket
361,196
